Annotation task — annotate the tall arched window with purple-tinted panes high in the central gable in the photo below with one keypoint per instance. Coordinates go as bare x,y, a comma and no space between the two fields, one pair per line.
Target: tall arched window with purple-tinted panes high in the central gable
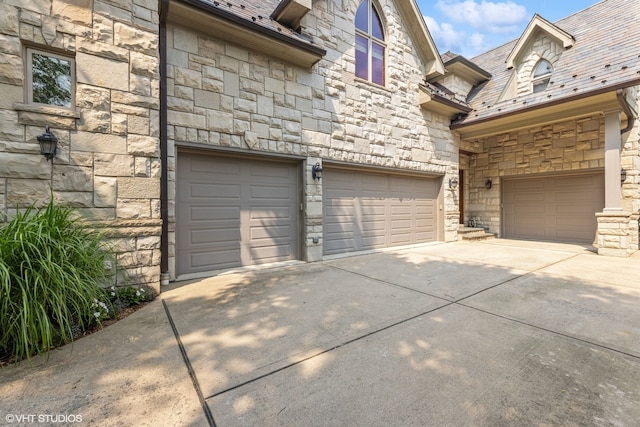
370,46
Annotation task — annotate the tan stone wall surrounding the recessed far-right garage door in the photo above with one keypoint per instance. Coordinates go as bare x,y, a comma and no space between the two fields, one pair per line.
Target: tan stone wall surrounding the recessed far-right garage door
572,145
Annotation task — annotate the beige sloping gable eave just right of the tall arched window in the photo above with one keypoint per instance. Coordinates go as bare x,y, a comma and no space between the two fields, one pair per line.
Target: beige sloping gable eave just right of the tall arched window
414,24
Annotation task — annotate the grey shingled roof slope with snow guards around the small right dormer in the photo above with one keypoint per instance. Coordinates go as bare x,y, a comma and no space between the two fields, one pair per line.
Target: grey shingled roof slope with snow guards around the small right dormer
604,58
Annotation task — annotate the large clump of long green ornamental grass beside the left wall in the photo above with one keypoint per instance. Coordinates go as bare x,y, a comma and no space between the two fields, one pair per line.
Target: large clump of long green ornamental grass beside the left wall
53,274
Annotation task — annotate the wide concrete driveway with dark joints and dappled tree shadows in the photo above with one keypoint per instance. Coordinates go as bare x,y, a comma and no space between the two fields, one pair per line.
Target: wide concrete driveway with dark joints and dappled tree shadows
495,333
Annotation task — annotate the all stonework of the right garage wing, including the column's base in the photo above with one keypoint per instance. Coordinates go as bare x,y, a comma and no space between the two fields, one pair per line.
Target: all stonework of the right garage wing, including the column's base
565,147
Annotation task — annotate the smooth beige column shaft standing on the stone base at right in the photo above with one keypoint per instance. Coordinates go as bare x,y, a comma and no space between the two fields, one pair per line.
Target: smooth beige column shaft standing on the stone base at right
612,146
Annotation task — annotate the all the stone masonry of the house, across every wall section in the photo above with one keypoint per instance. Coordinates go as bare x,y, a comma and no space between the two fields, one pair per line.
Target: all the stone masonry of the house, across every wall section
222,97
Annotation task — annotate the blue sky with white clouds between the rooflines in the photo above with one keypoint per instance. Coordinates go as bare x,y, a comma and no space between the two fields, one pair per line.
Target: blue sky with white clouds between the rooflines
470,27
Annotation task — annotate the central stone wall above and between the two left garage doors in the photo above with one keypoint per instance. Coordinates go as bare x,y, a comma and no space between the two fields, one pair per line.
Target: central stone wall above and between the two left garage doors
228,97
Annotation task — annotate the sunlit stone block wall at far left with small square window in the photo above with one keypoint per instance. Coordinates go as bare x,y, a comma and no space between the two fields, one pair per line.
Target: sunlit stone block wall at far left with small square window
108,164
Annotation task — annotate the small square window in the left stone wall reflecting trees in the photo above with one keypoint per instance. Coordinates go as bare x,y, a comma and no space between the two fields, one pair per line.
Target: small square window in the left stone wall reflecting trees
50,79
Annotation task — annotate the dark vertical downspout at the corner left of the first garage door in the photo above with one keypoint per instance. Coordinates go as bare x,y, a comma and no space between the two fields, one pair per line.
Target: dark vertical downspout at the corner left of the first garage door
163,6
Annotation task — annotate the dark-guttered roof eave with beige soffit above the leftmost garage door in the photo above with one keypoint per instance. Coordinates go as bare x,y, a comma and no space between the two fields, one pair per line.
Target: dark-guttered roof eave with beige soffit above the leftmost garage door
247,23
